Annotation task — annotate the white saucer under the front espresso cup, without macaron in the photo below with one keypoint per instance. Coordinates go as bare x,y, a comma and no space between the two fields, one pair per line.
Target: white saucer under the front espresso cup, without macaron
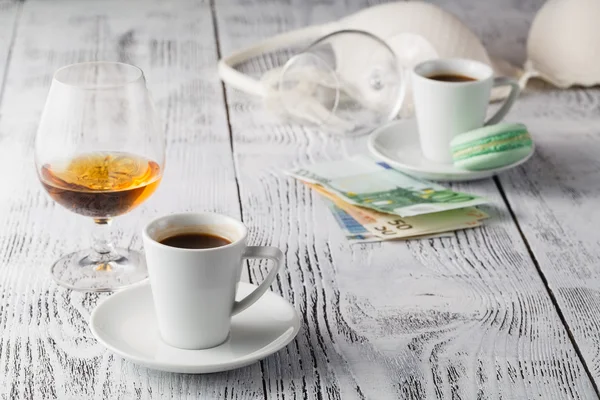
125,323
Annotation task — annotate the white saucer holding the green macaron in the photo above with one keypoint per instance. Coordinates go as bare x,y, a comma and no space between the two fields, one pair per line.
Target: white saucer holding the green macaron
397,143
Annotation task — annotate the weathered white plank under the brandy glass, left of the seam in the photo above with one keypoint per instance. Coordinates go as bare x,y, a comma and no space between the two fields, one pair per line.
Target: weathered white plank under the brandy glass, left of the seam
46,349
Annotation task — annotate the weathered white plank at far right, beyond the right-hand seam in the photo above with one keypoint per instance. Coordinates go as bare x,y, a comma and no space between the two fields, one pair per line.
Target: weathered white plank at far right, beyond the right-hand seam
555,201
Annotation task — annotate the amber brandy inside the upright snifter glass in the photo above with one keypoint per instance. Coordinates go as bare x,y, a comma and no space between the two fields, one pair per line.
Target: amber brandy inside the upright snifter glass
102,184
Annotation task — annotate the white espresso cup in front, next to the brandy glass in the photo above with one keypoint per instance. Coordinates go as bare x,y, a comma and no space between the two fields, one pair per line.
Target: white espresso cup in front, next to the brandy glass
194,289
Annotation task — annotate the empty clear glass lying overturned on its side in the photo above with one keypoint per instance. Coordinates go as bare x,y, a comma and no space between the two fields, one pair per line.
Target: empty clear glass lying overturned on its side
347,83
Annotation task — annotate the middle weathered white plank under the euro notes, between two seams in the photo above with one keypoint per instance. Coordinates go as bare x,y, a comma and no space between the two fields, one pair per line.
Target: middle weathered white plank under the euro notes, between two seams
466,317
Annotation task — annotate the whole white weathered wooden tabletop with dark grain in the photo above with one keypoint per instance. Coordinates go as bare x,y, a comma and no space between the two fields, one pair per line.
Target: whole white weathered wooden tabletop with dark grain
510,310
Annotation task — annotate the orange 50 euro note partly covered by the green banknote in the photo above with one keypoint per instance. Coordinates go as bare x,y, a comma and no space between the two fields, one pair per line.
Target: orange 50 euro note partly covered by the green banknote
389,226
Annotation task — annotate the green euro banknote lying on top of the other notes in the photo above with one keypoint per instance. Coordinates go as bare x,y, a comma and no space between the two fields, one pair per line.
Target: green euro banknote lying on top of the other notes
364,182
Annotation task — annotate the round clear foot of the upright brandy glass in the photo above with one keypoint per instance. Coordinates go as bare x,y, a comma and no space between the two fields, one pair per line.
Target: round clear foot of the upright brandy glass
81,271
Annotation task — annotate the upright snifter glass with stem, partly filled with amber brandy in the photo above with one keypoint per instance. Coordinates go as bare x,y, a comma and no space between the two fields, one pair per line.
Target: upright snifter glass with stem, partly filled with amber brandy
99,153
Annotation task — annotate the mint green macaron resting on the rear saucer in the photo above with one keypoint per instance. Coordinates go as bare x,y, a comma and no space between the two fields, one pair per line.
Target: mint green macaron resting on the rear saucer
492,146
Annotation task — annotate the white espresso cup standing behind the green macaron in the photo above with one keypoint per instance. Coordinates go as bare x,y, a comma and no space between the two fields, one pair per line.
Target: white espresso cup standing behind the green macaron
445,109
